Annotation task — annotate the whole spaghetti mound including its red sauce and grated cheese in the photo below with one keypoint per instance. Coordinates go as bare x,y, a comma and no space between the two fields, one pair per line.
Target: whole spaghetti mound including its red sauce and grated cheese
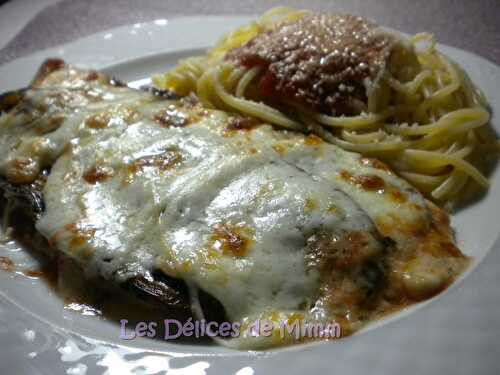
383,96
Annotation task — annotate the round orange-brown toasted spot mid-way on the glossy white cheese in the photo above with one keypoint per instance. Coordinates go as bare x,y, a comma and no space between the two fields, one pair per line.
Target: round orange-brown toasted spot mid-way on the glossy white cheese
232,240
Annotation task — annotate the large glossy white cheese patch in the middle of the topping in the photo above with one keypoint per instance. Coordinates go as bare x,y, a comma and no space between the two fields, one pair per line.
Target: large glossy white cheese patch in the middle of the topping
171,218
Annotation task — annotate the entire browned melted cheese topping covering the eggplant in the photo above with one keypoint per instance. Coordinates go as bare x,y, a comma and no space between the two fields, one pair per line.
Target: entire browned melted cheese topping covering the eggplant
271,223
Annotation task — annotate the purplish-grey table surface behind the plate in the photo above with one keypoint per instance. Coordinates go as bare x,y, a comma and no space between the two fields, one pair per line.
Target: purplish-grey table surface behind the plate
471,25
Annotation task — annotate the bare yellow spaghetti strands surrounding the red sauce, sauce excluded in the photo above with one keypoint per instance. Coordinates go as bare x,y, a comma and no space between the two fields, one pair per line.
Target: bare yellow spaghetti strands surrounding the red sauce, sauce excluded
425,120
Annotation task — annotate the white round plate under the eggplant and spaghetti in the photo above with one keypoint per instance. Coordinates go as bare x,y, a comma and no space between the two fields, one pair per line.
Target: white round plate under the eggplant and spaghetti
455,333
